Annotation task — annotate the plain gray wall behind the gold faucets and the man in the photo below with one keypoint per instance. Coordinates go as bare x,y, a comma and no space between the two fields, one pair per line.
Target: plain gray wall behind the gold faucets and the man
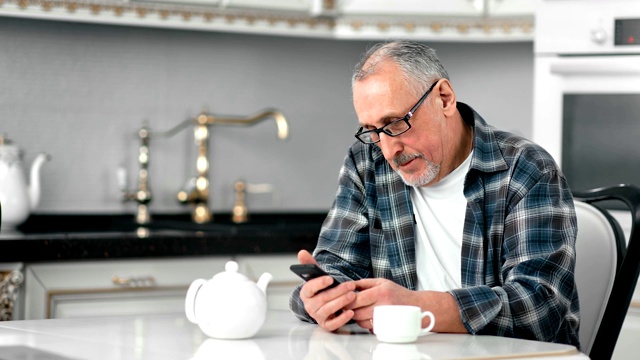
80,91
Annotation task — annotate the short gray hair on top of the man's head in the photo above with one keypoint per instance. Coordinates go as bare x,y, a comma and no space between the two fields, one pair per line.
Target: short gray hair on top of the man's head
419,64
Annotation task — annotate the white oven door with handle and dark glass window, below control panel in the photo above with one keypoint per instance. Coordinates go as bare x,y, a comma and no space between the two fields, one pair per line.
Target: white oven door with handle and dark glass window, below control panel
587,115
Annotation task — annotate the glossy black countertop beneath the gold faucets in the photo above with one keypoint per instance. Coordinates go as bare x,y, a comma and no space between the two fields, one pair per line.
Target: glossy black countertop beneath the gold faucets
87,237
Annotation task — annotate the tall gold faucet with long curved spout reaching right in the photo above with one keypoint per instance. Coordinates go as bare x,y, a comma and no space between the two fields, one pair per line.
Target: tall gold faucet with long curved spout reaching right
197,190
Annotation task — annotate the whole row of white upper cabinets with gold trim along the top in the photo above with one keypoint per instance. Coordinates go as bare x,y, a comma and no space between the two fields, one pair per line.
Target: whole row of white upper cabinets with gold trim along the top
425,20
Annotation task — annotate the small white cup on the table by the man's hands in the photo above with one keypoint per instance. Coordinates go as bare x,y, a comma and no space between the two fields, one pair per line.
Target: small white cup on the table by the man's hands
400,323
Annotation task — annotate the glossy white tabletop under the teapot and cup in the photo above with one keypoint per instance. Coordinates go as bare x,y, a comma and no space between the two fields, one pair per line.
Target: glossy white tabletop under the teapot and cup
160,337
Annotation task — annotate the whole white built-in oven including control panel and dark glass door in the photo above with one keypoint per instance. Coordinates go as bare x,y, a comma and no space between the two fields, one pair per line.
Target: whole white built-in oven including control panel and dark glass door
587,89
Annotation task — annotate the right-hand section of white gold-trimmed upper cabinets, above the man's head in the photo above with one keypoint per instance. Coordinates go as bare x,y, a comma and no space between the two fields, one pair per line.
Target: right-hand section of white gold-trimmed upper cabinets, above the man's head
458,20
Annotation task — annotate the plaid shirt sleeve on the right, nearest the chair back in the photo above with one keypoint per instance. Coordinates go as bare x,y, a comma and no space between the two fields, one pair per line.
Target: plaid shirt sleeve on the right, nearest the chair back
536,290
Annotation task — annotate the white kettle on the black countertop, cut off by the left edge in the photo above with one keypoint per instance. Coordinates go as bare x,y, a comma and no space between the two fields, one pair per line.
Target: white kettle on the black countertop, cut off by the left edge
18,198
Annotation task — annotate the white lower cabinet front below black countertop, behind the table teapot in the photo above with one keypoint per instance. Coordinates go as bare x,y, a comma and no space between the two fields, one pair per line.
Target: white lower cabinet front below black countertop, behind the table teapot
122,287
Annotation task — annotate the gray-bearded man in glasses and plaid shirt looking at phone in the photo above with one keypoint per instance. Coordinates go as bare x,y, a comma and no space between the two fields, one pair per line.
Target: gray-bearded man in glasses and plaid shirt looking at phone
435,208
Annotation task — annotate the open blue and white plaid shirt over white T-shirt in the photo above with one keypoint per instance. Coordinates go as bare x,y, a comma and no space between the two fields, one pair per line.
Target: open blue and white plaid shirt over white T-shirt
518,252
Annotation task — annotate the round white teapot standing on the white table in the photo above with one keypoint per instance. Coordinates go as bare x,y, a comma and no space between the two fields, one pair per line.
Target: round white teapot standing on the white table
228,306
